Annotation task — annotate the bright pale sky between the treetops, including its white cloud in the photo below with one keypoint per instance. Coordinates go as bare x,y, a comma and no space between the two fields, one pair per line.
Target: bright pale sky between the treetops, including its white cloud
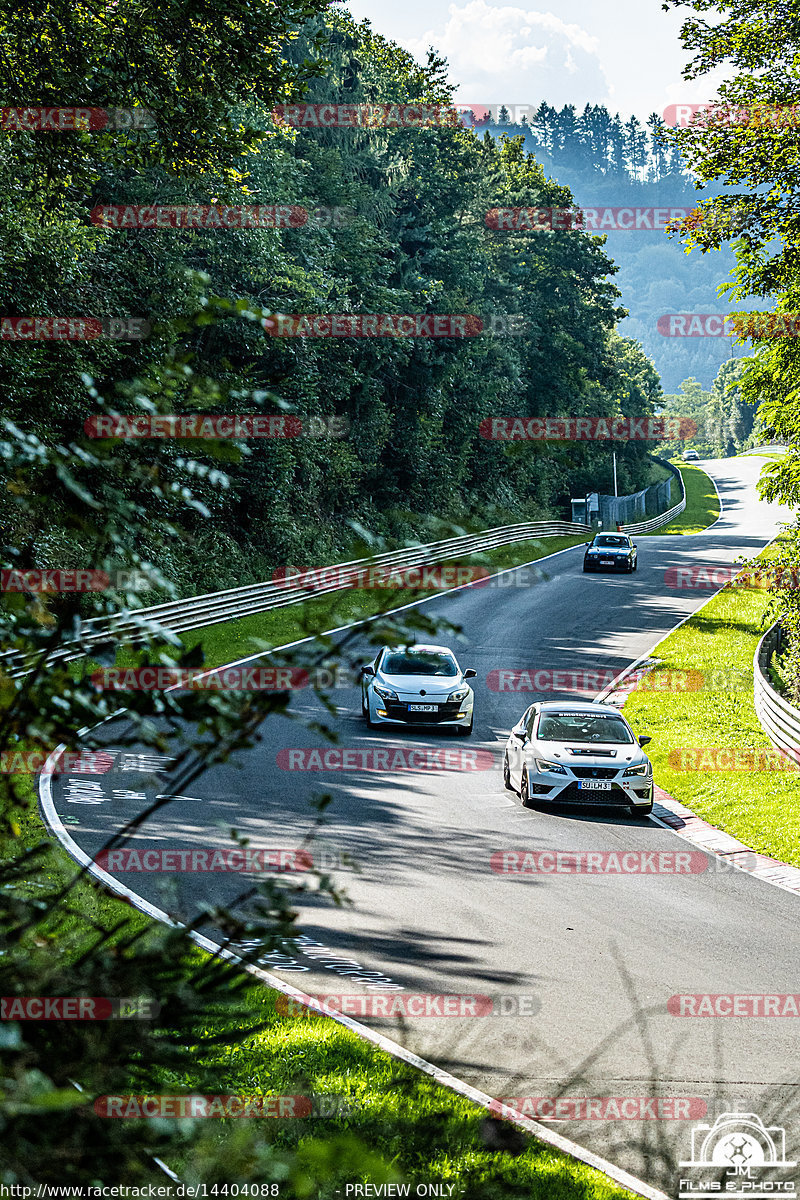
625,55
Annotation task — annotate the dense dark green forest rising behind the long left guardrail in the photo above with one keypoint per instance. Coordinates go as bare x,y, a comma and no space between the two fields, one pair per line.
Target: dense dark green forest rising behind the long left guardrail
398,226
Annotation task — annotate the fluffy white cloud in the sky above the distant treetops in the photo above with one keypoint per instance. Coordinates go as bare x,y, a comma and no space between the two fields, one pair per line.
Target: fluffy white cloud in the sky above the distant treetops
534,55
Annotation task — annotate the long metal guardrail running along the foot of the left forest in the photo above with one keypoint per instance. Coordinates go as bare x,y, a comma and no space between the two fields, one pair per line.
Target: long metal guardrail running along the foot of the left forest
136,626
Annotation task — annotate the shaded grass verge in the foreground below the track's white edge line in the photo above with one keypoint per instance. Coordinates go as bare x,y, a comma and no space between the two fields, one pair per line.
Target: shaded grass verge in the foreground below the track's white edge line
424,1131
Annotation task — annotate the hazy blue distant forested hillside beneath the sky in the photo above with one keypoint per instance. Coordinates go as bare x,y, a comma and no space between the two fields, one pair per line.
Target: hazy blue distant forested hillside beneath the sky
610,163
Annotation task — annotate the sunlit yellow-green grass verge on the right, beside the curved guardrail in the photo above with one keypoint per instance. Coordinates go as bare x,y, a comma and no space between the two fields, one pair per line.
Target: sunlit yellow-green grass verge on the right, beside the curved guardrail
762,808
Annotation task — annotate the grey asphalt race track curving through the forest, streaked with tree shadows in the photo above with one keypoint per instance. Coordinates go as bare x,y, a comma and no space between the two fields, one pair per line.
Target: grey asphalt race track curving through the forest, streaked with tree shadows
580,968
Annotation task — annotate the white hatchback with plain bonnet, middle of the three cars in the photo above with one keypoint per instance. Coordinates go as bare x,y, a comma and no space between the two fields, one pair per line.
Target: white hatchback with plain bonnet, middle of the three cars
417,686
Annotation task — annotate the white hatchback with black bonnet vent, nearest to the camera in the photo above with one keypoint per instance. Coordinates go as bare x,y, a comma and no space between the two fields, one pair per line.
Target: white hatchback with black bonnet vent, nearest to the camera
573,753
